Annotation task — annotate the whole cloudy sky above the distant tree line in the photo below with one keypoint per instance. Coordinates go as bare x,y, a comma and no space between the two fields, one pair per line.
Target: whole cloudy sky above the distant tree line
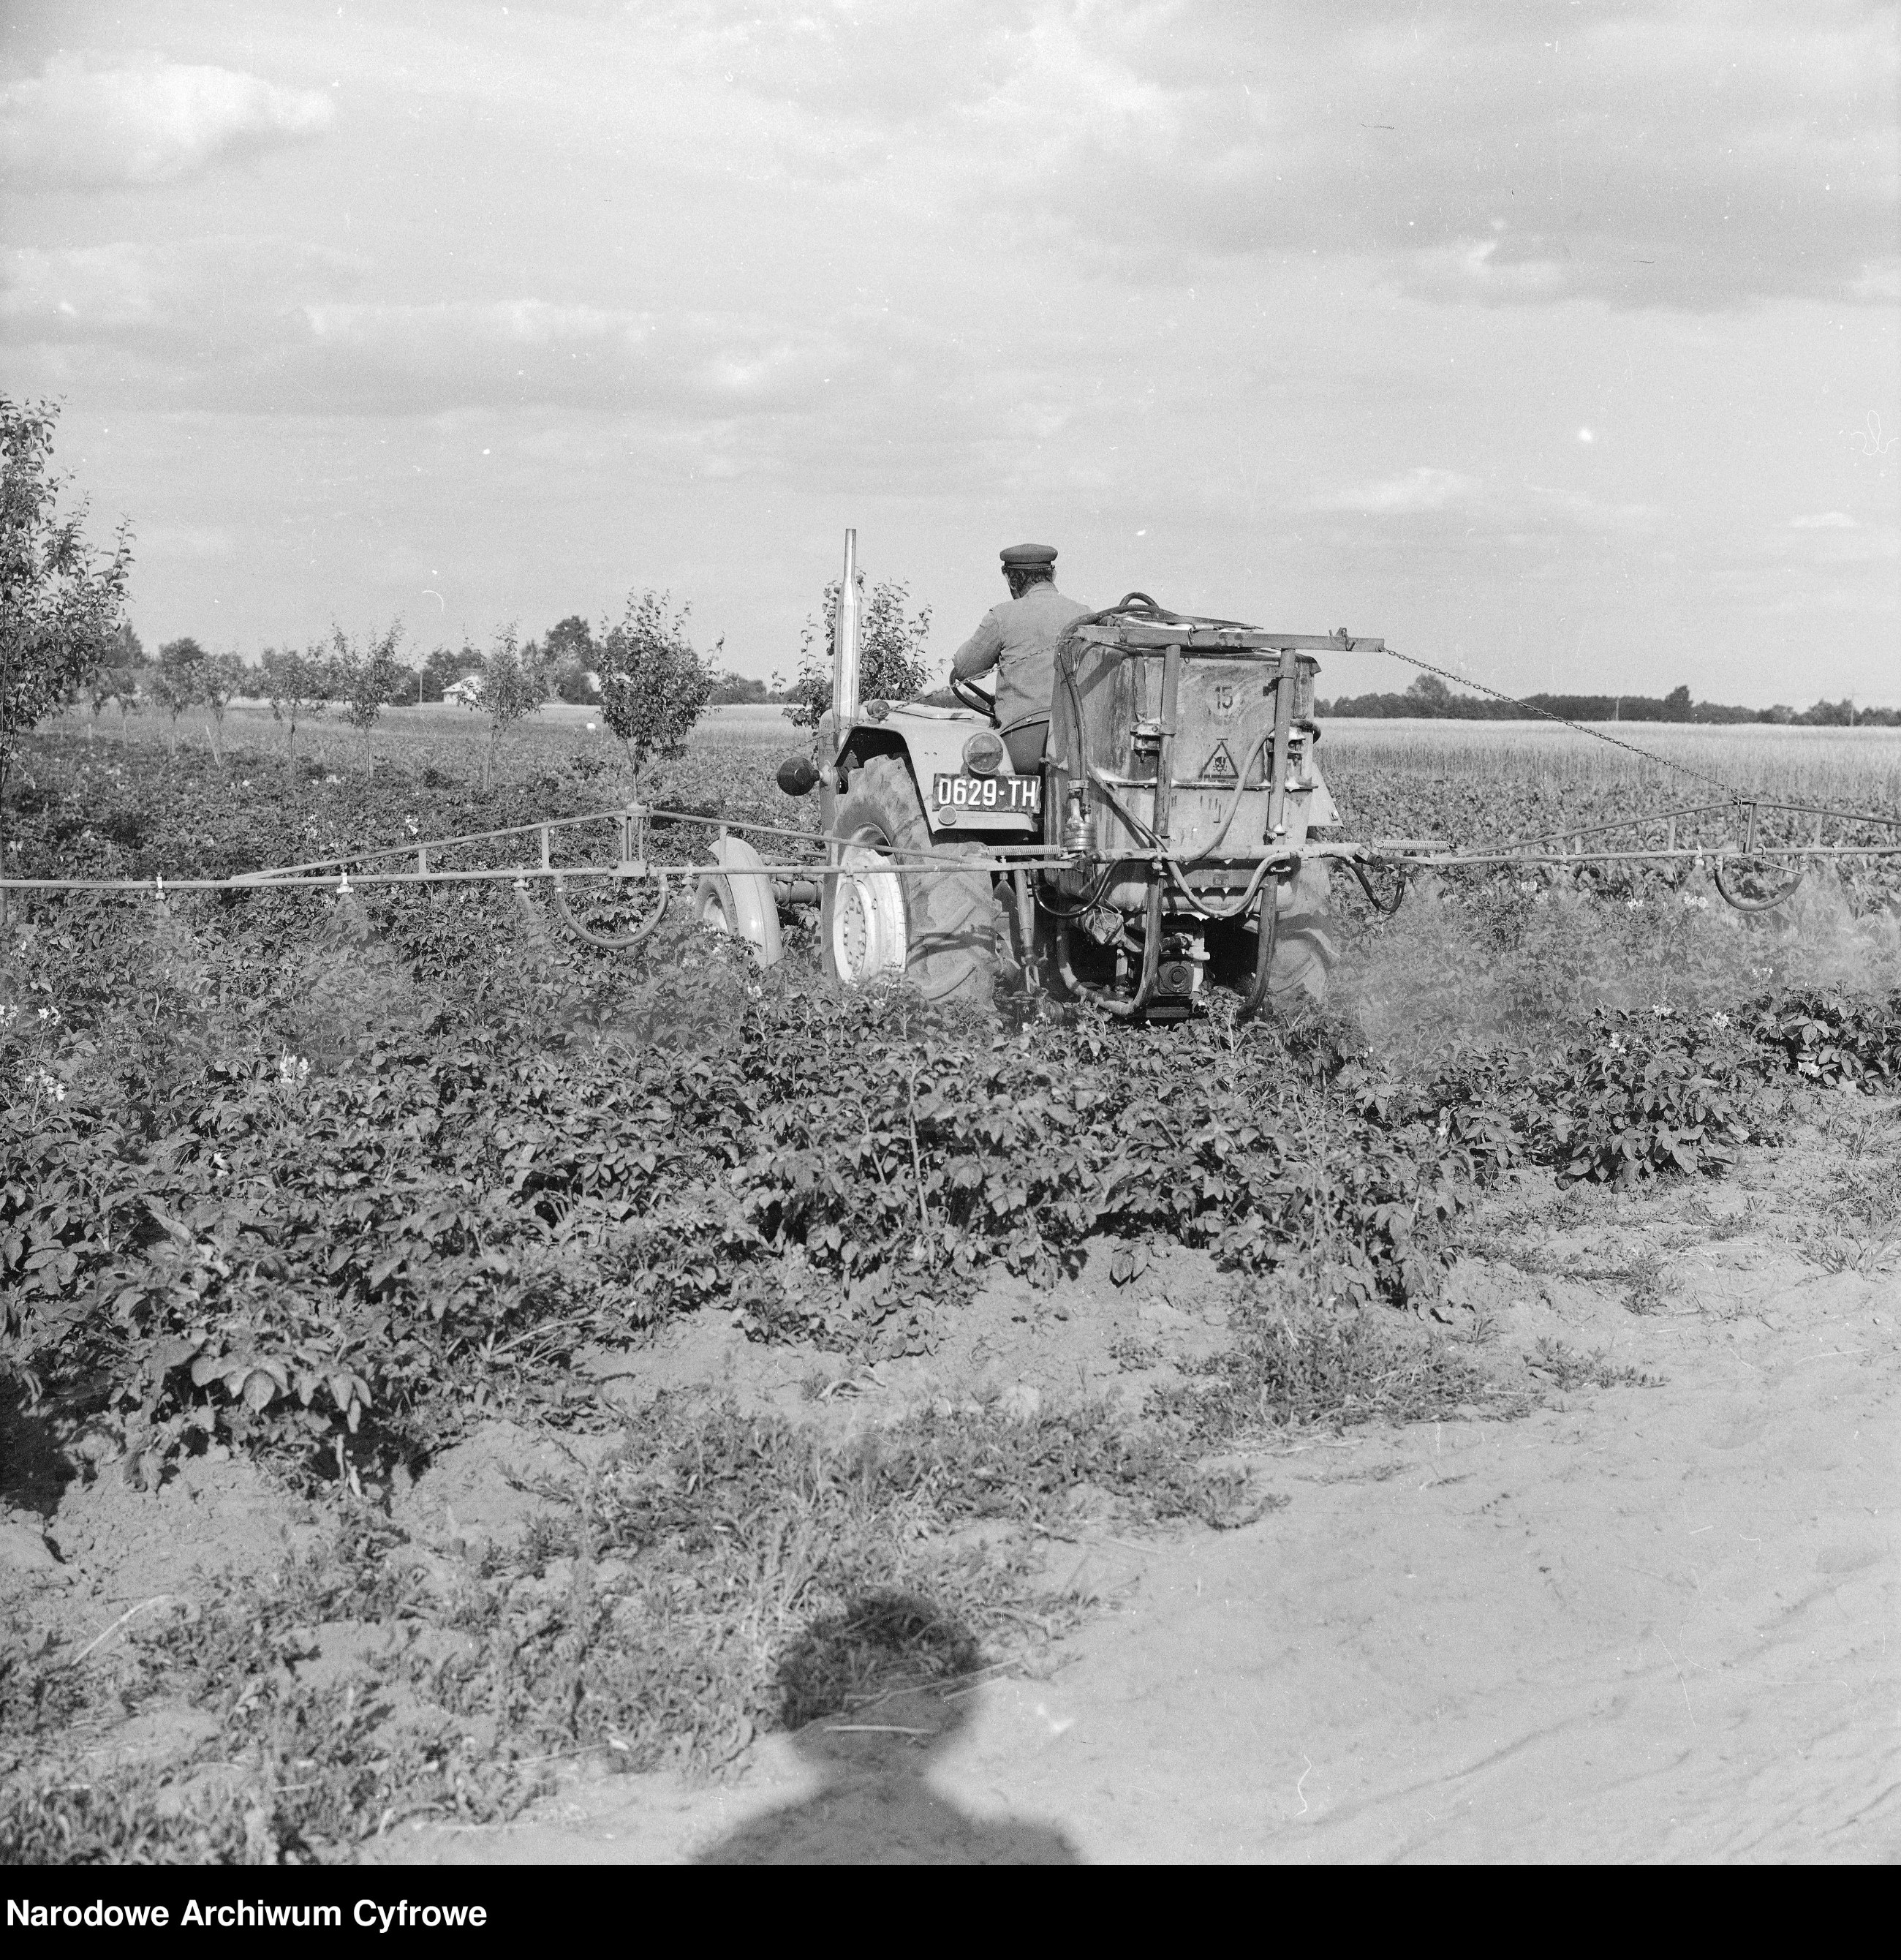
1553,342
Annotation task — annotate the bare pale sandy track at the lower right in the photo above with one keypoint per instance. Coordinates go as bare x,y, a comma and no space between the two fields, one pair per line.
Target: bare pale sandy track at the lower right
1643,1624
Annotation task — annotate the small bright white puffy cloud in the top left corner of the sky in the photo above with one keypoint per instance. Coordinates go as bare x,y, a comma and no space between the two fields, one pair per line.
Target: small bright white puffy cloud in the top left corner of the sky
91,128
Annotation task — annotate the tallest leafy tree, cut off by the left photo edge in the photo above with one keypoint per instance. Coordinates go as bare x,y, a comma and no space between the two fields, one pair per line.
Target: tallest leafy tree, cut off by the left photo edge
60,601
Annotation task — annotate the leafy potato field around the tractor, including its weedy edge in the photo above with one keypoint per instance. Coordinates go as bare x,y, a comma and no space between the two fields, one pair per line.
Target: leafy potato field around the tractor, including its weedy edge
315,1206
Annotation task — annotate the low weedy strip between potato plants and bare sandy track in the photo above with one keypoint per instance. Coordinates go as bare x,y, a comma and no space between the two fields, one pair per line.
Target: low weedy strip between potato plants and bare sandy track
714,1579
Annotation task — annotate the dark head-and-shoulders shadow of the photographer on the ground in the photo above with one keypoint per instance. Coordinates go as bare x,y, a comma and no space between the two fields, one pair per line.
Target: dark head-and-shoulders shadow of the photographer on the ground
877,1804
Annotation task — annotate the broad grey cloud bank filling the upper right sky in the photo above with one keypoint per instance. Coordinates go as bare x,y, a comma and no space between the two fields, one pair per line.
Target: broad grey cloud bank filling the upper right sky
1698,156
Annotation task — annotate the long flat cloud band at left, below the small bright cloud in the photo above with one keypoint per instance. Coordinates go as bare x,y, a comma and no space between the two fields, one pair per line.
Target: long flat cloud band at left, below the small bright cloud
271,324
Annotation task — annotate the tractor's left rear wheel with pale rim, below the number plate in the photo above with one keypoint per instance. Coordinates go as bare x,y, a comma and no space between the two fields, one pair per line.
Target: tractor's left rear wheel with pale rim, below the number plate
906,908
